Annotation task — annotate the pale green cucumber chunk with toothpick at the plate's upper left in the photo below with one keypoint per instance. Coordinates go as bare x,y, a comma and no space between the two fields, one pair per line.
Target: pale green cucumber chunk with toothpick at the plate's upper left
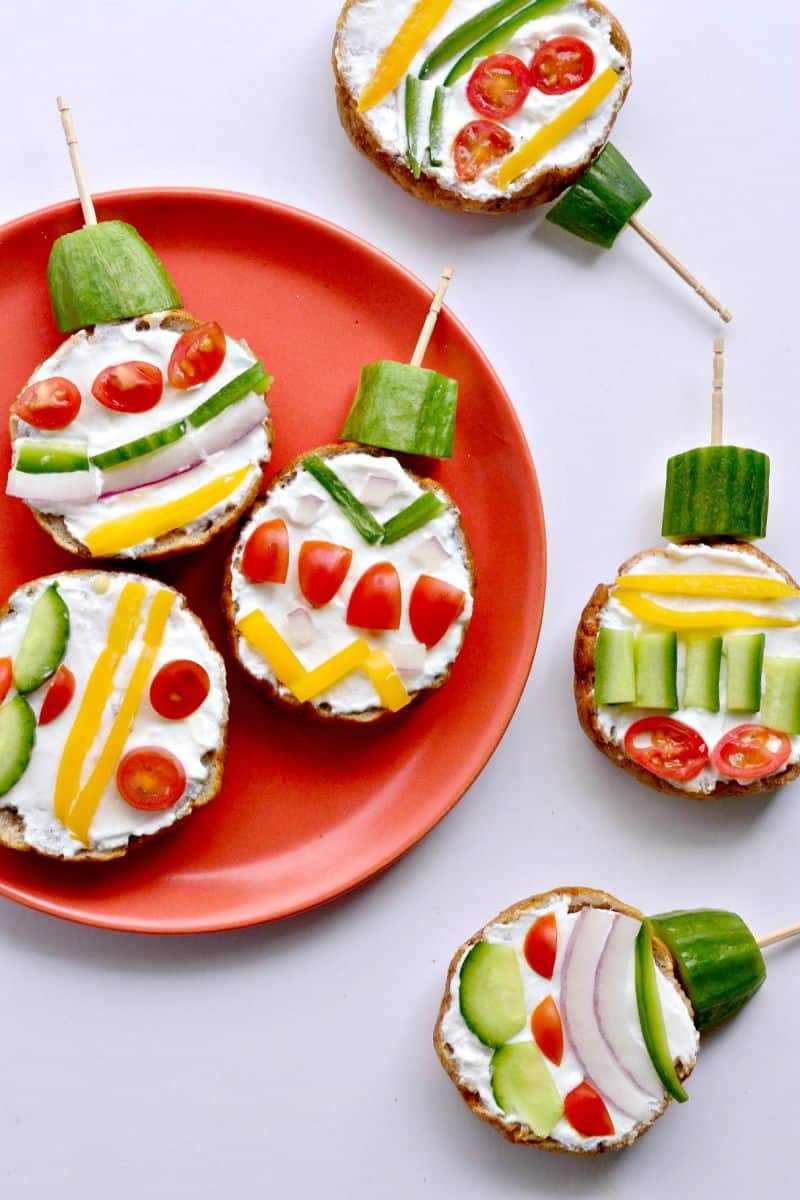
106,273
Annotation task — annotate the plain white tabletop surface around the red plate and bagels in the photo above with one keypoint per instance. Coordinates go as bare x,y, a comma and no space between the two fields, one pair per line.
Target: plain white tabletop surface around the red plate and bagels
297,1060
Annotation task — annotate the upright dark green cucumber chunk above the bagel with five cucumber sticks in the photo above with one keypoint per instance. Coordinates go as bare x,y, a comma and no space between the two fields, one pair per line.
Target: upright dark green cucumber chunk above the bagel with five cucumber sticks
717,493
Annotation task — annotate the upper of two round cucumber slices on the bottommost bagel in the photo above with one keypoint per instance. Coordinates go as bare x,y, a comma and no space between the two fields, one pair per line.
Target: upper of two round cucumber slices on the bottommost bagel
491,993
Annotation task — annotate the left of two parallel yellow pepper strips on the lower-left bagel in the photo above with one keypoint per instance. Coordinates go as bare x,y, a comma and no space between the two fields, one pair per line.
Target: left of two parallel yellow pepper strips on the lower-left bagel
87,724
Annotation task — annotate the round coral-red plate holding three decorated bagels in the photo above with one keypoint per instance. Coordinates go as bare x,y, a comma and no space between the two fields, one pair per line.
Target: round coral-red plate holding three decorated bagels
306,812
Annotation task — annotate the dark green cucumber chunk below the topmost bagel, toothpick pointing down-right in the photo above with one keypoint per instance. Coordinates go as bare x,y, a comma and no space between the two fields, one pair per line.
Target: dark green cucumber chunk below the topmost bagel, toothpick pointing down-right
603,202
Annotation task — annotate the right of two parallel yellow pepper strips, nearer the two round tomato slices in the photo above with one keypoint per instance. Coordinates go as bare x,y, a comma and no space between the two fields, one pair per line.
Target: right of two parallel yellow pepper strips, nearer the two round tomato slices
85,807
